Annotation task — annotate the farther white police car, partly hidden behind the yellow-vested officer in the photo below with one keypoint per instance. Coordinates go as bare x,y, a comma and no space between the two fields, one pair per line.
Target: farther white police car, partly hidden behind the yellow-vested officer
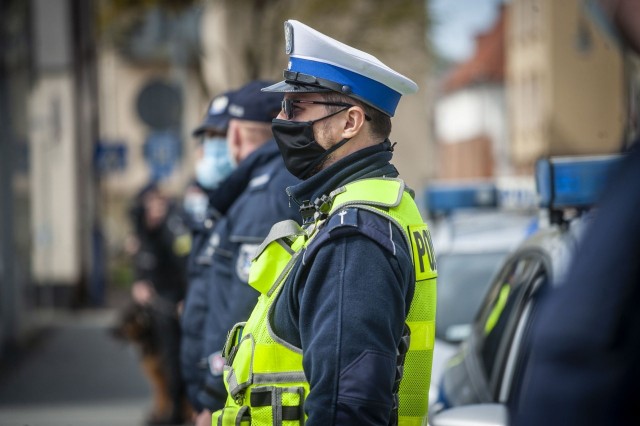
472,235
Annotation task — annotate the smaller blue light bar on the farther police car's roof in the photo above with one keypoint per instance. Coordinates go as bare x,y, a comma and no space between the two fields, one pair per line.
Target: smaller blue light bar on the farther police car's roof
444,198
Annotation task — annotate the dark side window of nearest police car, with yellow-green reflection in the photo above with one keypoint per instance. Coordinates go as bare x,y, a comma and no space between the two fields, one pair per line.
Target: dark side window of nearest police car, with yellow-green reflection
496,324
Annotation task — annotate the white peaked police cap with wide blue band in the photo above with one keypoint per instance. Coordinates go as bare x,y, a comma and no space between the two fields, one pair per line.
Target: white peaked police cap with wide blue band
318,63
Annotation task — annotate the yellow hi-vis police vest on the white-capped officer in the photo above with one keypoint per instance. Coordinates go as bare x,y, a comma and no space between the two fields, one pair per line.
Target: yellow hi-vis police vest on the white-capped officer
263,374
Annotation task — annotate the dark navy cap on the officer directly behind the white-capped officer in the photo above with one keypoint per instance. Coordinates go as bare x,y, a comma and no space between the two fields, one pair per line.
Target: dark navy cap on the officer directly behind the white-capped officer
250,103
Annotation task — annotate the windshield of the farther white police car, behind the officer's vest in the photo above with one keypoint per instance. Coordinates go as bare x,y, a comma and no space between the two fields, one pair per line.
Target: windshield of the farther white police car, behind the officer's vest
463,280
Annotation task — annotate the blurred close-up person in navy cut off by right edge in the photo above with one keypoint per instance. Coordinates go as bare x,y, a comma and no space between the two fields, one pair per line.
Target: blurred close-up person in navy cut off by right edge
585,349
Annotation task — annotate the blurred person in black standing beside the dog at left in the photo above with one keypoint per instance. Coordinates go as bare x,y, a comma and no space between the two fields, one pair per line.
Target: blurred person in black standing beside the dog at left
162,244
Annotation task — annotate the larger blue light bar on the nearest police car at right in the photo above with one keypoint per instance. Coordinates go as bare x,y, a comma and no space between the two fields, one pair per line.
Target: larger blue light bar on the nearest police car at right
577,182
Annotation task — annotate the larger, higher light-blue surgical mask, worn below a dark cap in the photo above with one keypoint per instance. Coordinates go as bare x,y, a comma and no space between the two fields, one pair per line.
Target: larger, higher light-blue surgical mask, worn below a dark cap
216,163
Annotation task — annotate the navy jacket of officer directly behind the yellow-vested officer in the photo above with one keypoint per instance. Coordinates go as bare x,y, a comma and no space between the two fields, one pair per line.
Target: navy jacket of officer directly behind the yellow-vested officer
223,297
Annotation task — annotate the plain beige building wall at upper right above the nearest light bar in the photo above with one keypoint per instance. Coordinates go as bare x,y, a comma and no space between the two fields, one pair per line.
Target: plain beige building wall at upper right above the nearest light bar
588,86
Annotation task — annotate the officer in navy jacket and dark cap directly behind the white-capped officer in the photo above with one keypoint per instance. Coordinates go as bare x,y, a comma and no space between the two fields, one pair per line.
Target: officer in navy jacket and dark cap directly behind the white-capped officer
247,203
